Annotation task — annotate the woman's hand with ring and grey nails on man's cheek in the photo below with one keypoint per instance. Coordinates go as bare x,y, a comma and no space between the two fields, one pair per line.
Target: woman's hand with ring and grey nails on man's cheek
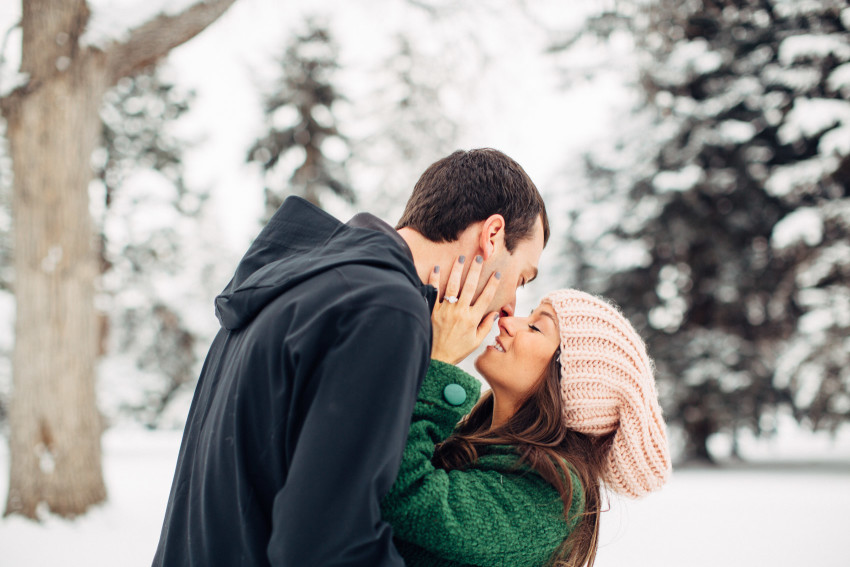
461,326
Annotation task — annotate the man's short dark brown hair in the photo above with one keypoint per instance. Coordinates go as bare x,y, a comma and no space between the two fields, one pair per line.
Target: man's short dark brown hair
469,186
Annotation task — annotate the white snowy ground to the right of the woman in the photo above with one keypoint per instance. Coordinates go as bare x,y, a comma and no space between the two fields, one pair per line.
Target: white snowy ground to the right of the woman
739,517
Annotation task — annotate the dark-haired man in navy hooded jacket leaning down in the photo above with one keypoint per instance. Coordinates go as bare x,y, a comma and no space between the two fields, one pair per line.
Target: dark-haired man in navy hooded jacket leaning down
302,408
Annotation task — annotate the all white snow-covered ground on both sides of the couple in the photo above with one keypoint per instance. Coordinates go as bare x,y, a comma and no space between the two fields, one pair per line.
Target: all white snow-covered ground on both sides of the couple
757,515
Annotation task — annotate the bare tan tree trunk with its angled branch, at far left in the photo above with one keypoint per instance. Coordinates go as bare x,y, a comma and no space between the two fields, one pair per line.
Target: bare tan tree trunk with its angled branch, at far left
53,126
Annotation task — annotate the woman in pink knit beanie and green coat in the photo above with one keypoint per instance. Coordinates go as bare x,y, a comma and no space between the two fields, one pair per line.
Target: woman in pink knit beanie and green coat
572,407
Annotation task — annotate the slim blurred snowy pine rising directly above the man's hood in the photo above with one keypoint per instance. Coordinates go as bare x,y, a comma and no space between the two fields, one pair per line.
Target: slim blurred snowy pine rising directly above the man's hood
300,117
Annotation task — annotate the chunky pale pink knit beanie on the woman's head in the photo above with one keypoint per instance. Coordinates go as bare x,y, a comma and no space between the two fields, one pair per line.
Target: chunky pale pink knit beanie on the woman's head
607,385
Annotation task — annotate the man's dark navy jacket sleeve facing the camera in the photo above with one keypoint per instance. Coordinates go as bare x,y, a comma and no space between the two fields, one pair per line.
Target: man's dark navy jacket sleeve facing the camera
348,451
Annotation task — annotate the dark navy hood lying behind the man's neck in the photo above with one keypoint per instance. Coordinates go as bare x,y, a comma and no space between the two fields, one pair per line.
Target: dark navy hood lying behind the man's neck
299,242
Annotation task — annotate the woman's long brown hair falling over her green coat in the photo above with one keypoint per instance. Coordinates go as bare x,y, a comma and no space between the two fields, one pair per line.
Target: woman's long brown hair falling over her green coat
545,445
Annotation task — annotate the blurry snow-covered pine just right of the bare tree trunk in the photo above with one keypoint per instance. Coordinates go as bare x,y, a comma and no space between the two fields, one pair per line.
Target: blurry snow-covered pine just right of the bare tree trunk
136,253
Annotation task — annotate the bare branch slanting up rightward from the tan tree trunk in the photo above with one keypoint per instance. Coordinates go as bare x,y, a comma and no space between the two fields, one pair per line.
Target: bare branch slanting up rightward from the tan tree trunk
154,39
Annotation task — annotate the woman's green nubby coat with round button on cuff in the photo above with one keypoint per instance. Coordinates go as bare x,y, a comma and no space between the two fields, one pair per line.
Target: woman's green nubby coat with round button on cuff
492,513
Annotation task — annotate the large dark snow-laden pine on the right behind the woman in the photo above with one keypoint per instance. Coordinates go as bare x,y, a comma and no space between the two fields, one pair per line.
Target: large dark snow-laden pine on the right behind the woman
737,213
